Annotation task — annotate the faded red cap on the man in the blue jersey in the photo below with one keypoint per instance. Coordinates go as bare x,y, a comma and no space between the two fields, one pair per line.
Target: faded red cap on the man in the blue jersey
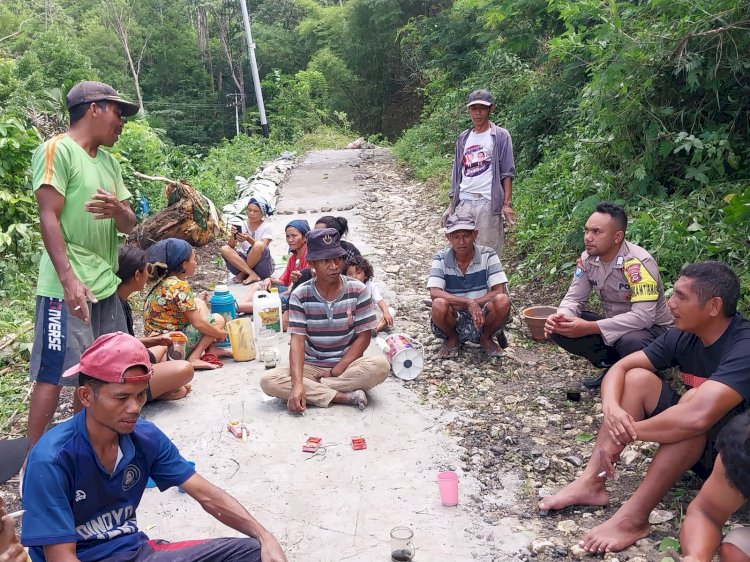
110,356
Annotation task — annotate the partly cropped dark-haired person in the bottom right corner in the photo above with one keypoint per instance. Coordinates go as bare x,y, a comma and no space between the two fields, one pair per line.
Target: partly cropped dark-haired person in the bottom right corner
725,491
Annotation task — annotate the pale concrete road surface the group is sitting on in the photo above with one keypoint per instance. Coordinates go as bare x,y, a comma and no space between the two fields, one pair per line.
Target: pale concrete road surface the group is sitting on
337,504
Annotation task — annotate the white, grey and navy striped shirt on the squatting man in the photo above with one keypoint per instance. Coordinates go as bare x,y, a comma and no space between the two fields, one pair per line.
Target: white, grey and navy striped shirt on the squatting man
484,272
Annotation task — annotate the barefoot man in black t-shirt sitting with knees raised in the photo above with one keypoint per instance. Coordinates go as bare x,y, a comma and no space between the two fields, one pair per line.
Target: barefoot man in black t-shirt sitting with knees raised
711,345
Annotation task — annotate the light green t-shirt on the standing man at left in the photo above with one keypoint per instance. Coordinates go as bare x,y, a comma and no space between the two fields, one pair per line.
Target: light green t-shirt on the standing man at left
91,244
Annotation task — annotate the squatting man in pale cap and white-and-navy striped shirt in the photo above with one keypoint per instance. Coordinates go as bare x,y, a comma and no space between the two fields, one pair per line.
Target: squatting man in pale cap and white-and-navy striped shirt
467,287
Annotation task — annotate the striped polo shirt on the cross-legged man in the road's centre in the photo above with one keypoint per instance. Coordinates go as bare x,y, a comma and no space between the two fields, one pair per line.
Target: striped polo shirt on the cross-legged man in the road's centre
330,327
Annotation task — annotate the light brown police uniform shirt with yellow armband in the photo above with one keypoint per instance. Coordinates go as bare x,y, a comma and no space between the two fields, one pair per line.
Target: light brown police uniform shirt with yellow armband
629,288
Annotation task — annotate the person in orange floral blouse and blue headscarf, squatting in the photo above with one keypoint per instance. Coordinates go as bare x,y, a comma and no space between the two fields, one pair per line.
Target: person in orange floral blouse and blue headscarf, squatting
172,307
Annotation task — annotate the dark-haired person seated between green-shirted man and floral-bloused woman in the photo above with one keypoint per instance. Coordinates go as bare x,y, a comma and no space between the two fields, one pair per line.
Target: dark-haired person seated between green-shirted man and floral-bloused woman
170,379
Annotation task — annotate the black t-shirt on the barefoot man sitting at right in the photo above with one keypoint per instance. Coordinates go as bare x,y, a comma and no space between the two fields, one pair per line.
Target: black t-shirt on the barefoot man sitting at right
726,361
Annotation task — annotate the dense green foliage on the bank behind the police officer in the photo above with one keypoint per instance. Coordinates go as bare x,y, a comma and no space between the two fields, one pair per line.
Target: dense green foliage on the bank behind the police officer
639,103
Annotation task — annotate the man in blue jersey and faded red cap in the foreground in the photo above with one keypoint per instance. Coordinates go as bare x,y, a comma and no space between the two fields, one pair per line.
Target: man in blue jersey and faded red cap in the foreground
85,478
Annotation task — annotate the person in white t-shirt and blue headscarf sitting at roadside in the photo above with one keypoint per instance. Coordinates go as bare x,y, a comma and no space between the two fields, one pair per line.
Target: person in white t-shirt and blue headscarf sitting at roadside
247,252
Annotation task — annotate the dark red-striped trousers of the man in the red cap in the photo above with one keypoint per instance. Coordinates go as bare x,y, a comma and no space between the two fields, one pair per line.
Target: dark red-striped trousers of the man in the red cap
208,550
